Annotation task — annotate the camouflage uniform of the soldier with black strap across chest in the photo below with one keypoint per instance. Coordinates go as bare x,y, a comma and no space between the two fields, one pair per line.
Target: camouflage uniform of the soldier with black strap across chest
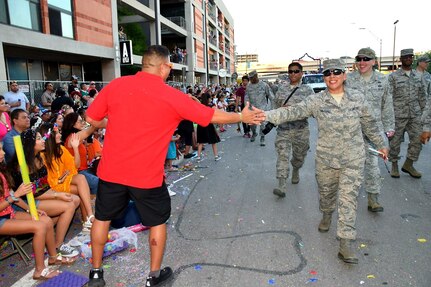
291,136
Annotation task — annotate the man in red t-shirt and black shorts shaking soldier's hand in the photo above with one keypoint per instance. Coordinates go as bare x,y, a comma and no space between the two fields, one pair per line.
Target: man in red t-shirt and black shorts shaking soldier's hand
132,160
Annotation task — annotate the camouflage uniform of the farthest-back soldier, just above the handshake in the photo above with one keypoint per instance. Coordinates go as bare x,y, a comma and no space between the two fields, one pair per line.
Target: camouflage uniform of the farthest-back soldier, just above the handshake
260,96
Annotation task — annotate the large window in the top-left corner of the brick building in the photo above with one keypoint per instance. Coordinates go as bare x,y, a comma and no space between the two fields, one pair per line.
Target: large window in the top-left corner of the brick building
21,13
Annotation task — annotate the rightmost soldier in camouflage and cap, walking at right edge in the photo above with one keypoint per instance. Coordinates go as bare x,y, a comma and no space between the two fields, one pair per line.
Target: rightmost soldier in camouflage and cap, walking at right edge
410,97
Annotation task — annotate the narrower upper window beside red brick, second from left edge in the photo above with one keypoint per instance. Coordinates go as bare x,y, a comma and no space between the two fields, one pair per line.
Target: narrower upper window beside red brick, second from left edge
60,18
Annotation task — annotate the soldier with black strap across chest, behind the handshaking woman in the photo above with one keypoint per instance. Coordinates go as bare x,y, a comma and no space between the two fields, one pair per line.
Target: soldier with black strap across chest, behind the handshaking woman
292,137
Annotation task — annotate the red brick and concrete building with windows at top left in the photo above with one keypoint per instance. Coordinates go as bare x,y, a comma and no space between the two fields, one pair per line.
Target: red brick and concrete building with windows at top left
51,40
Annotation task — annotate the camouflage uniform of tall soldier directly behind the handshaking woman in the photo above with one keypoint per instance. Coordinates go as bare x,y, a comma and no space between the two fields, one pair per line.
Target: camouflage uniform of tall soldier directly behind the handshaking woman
376,93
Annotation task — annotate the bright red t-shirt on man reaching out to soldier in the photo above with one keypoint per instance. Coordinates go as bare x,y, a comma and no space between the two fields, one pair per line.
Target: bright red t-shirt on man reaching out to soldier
143,113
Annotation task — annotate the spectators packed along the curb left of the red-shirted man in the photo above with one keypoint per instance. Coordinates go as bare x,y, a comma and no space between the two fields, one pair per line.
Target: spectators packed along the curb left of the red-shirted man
62,152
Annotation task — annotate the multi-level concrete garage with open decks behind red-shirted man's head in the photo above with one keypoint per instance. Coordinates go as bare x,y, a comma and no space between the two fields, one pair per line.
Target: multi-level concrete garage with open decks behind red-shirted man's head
203,29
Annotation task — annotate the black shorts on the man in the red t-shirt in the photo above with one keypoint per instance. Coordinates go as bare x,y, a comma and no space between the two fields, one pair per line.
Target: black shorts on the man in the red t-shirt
153,204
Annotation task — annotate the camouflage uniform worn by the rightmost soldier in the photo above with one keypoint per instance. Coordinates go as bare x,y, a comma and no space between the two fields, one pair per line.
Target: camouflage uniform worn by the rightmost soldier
409,97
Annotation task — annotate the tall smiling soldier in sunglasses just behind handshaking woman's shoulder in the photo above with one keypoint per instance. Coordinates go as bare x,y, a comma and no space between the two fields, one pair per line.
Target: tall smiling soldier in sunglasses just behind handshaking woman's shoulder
374,86
